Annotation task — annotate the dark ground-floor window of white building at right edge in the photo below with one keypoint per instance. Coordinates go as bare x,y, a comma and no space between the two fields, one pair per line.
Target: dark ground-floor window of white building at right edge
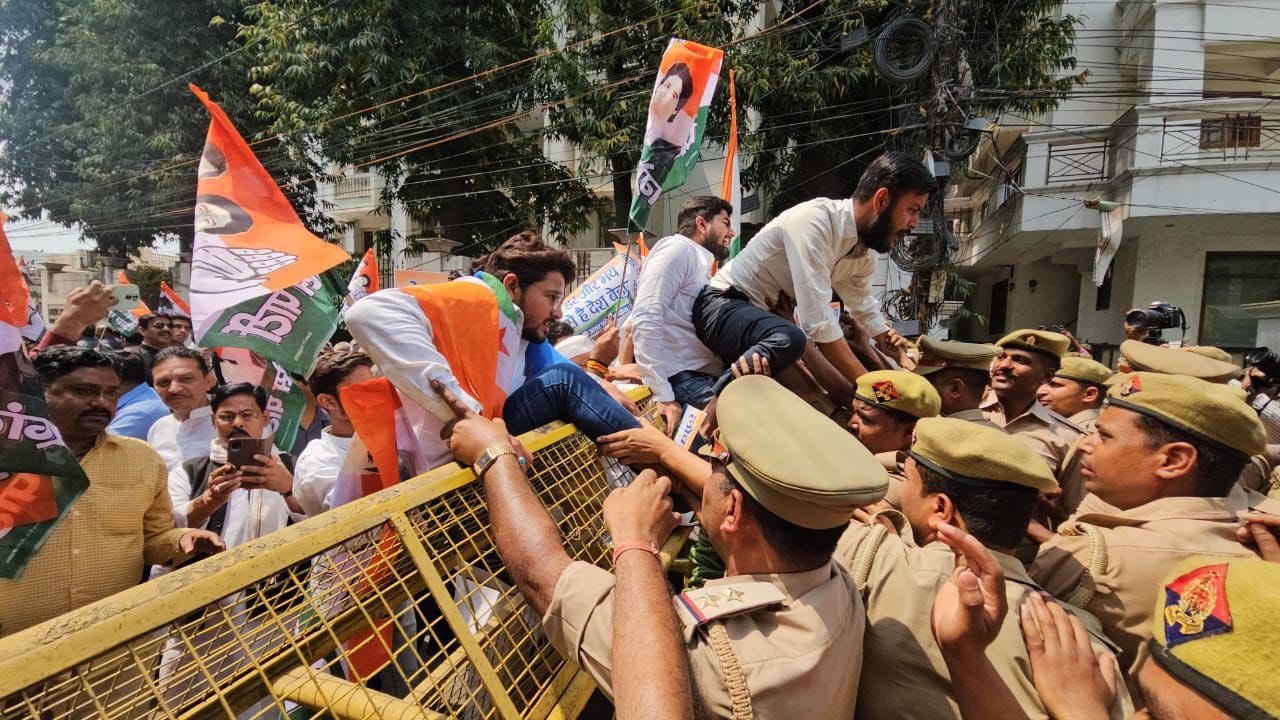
1233,280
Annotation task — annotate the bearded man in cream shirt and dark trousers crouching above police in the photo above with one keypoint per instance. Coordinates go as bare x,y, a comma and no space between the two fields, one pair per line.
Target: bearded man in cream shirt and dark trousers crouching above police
798,259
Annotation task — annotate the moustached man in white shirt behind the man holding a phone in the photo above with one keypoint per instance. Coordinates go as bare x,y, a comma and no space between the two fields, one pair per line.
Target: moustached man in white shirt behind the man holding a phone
182,380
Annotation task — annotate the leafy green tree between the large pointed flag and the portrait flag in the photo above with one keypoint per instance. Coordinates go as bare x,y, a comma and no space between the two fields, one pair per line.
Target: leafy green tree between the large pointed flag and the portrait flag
390,86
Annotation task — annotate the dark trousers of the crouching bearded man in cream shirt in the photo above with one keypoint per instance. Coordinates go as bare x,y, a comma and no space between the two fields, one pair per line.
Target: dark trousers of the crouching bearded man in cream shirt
733,327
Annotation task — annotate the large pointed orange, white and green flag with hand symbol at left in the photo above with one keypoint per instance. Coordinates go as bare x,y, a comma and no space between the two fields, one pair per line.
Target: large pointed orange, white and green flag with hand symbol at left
258,275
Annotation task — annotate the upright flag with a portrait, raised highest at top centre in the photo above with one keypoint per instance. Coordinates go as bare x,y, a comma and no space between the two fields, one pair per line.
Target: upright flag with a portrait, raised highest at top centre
678,117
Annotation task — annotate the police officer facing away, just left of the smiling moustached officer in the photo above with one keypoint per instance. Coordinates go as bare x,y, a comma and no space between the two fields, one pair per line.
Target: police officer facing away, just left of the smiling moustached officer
959,372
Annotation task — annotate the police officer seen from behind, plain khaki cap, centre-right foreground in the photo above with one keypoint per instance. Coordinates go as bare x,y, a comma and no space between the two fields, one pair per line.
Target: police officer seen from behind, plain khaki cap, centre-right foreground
972,477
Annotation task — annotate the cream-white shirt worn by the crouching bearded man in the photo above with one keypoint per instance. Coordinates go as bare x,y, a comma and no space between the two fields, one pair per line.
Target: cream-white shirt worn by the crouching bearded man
806,253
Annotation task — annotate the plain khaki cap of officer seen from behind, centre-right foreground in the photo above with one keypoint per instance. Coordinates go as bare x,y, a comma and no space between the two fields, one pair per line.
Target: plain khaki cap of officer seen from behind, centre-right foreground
972,454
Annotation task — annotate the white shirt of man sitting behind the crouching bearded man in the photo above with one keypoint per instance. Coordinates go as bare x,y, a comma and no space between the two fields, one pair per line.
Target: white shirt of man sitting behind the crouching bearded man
662,322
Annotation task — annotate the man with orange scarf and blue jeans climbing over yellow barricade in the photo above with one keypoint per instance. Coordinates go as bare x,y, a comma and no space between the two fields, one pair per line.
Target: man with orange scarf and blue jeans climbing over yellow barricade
419,335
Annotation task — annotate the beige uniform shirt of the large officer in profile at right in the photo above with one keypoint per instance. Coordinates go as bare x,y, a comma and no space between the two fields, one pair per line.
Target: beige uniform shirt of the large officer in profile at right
1112,562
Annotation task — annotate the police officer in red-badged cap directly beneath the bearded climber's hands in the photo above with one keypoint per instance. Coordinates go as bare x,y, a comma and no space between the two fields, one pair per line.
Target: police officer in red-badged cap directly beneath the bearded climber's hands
886,407
